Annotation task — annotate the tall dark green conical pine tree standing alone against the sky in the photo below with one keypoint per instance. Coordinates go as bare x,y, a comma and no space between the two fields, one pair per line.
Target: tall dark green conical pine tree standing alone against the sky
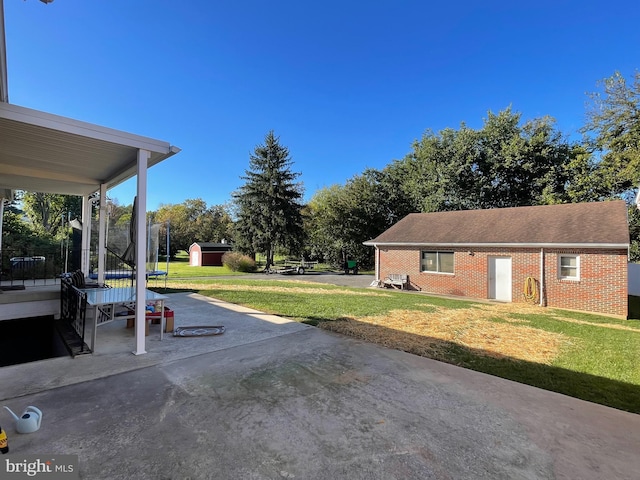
268,205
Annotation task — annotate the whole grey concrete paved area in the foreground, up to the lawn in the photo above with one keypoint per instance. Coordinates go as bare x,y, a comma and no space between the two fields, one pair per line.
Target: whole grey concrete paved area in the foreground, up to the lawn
274,399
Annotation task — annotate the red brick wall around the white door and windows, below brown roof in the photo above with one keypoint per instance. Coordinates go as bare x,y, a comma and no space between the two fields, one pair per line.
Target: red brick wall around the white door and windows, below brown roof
602,286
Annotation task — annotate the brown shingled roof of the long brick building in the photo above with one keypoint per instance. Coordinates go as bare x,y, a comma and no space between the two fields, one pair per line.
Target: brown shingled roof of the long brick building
583,224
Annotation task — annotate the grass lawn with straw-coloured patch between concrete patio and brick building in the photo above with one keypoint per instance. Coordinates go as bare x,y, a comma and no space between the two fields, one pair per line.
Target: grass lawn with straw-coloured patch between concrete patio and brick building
590,357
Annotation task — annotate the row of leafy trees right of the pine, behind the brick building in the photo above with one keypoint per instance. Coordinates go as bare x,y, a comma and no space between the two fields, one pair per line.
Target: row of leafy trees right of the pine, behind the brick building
507,162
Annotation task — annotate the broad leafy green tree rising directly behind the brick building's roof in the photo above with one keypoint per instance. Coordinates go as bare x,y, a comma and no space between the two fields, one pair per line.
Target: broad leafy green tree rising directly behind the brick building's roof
506,163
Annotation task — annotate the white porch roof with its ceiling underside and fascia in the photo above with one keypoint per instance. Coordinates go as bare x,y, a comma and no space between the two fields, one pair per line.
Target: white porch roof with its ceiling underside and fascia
41,152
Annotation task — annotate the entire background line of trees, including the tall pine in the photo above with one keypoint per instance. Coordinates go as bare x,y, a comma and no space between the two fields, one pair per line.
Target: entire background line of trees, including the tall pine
507,162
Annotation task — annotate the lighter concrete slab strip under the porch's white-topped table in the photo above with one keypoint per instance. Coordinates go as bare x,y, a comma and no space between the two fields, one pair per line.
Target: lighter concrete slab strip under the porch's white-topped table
115,342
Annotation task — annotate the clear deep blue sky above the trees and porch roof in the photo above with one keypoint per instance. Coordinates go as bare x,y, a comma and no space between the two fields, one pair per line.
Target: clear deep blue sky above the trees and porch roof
345,84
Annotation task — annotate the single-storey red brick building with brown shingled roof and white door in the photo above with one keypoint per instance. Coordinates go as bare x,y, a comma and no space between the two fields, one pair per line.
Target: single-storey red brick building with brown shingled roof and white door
571,256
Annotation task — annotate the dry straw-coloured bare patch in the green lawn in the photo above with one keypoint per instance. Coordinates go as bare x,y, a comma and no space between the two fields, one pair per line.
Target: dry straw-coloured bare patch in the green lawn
431,334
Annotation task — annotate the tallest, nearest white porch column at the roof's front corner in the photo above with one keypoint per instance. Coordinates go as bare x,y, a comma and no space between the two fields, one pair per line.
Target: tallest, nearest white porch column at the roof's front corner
141,251
